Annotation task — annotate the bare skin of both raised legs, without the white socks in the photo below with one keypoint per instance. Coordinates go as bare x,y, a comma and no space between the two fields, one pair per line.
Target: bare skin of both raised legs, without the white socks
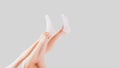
36,53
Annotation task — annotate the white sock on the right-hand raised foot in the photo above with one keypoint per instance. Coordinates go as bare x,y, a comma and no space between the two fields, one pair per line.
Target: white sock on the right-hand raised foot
66,26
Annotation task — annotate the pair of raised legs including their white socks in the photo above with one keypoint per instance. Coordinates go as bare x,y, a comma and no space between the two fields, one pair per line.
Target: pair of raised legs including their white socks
34,56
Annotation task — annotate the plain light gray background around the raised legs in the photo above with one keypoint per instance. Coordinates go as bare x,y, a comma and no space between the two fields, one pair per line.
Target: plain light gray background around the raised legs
93,43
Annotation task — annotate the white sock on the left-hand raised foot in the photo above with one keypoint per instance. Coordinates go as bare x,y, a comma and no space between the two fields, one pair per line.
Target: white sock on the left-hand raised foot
49,27
